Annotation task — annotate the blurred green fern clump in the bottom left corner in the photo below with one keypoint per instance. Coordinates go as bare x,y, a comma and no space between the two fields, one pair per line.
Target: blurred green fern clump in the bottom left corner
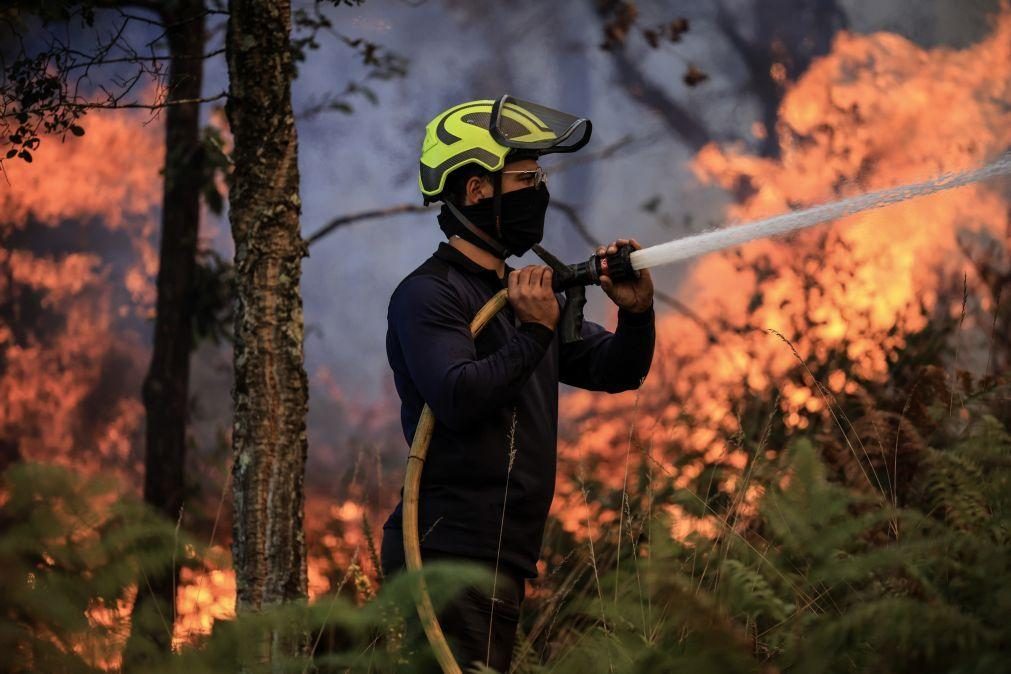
67,548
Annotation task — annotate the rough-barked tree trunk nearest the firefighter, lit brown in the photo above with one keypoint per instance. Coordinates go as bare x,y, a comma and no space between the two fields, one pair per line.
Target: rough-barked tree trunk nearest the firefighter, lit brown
270,394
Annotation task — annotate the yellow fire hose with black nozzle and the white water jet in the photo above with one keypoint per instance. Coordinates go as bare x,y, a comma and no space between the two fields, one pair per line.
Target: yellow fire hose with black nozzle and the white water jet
620,266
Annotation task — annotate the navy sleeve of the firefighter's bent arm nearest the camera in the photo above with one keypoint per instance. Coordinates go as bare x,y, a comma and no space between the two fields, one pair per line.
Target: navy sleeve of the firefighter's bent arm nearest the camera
434,334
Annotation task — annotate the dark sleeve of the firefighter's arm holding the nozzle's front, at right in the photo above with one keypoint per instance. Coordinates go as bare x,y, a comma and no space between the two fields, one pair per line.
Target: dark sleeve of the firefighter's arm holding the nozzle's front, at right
616,362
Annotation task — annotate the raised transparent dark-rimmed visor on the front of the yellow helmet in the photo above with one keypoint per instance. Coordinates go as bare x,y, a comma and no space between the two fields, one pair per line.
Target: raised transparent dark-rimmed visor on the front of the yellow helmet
525,126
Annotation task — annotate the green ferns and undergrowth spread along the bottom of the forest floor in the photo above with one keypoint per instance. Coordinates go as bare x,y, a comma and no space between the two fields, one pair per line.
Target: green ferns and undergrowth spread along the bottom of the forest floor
877,540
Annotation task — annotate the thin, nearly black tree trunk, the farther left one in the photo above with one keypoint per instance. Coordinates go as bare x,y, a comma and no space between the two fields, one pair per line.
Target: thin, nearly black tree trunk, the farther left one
167,386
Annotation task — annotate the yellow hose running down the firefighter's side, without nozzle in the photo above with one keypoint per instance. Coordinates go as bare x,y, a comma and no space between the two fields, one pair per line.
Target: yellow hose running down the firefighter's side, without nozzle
412,487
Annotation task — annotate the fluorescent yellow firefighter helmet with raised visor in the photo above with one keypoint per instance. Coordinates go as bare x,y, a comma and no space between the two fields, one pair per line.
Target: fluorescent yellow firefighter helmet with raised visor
485,132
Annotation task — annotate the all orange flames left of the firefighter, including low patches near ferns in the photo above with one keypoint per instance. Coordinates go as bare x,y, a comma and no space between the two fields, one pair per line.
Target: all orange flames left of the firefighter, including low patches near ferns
78,236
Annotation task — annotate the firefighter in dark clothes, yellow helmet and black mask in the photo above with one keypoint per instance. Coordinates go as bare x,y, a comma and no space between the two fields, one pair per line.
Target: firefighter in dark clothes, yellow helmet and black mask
490,472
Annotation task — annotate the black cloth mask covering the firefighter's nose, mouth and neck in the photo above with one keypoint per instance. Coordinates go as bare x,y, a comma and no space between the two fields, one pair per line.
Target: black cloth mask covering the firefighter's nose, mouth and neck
523,219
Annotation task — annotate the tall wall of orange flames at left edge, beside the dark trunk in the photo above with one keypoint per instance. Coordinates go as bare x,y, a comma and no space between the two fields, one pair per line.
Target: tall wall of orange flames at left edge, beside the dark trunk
73,362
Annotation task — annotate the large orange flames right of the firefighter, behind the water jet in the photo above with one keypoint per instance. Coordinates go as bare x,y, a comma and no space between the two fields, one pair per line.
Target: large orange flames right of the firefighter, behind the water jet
876,113
